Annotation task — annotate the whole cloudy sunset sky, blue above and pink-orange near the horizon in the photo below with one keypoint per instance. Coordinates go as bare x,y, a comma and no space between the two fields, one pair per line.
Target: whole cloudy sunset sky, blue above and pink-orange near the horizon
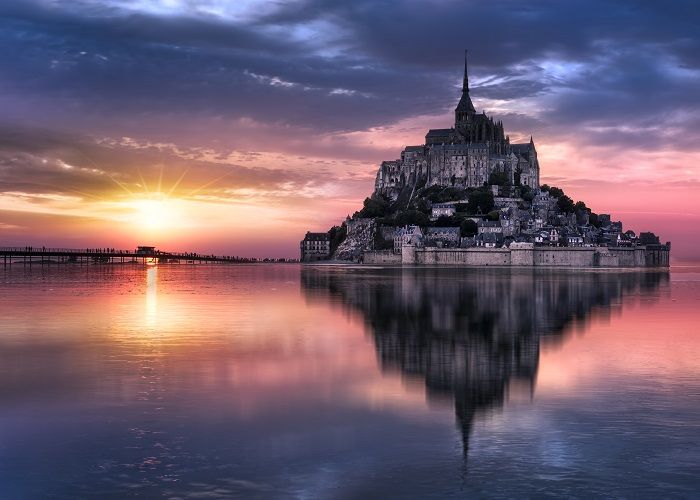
233,127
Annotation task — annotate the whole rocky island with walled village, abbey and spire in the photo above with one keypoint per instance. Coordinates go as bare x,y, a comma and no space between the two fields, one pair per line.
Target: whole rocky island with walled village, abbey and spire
468,196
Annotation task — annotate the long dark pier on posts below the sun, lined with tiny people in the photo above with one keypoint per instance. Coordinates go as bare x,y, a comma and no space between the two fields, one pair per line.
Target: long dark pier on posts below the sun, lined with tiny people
41,256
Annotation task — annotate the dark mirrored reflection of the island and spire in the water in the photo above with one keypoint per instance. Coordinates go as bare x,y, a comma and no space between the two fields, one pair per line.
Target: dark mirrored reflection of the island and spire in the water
470,332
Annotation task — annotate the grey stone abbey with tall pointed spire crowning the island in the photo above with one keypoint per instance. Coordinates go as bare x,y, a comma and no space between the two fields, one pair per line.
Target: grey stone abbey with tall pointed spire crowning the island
463,156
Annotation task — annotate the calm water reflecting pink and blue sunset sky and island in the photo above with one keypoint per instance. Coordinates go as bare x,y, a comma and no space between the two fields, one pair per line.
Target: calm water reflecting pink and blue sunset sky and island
323,382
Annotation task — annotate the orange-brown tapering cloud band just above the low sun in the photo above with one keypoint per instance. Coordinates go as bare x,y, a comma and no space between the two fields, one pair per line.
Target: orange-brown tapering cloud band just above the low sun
39,162
